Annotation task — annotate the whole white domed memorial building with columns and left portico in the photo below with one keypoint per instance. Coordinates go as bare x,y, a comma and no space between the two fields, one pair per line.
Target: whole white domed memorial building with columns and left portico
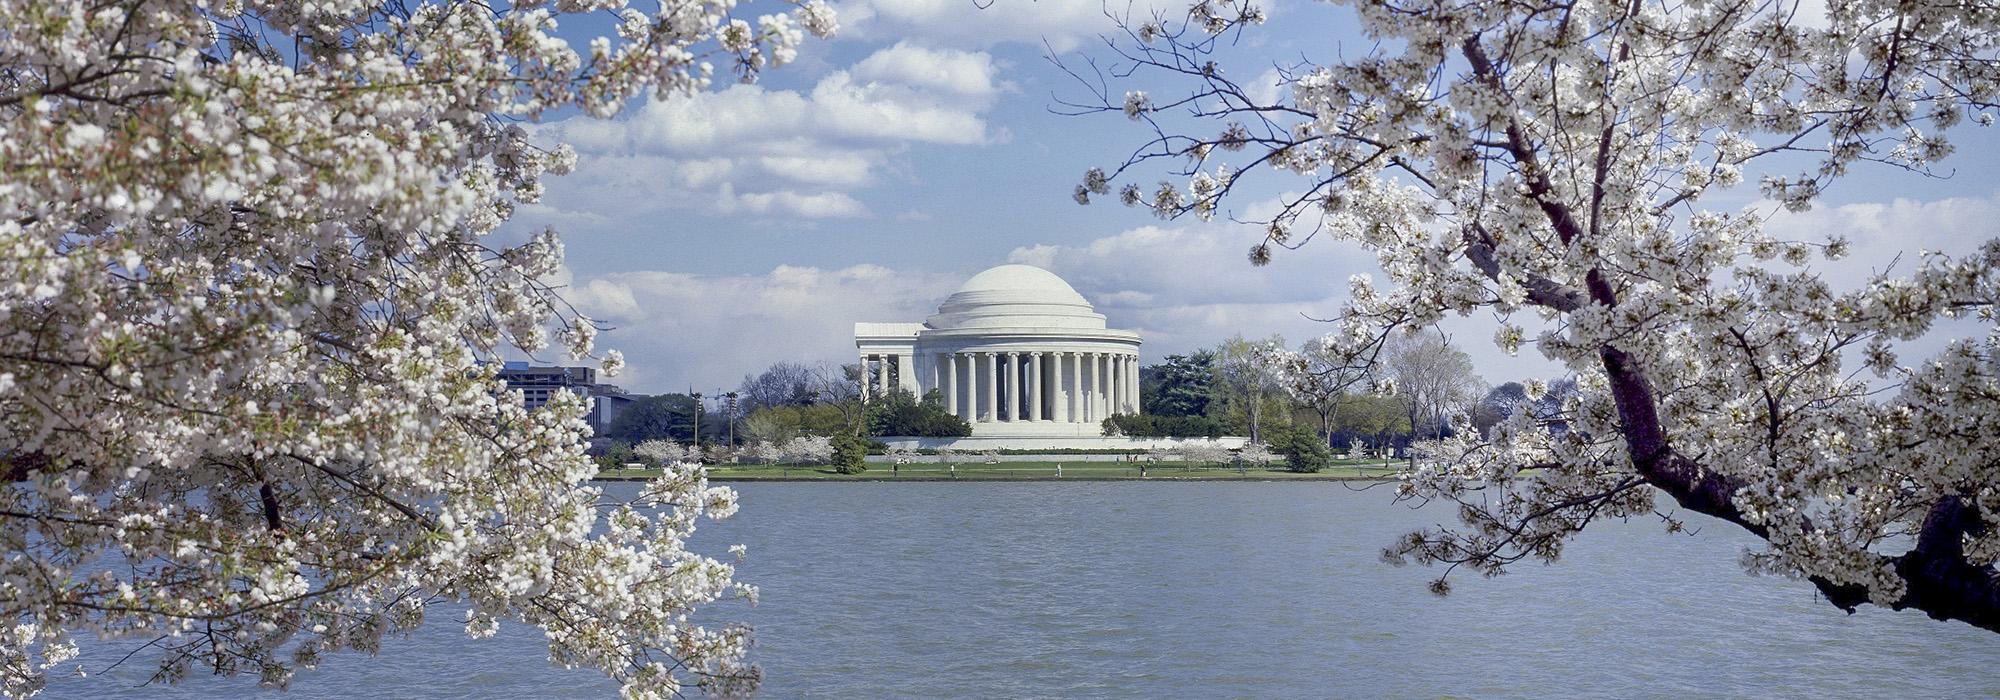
1015,351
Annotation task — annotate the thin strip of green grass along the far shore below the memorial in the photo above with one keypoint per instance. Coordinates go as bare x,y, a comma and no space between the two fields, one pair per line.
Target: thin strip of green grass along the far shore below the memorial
1019,473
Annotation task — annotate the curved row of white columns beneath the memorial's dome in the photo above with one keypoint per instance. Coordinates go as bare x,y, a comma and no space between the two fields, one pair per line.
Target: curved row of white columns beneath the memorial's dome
1037,385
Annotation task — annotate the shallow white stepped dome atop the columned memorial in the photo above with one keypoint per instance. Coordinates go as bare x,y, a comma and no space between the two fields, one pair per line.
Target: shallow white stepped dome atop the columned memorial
1015,297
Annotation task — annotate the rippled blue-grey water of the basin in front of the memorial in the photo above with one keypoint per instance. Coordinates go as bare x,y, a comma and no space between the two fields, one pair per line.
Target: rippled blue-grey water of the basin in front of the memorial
1199,591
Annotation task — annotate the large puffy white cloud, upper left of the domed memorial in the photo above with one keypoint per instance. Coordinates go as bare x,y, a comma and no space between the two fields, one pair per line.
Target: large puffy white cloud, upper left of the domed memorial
779,153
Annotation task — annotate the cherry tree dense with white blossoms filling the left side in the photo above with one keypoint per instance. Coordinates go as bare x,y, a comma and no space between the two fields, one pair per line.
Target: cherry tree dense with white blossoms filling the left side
249,323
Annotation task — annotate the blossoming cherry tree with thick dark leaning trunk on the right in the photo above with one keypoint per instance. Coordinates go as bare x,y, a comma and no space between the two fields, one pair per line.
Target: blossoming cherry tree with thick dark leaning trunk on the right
1553,165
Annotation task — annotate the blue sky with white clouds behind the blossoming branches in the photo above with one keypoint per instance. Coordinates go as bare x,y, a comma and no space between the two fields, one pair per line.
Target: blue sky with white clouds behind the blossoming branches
753,225
